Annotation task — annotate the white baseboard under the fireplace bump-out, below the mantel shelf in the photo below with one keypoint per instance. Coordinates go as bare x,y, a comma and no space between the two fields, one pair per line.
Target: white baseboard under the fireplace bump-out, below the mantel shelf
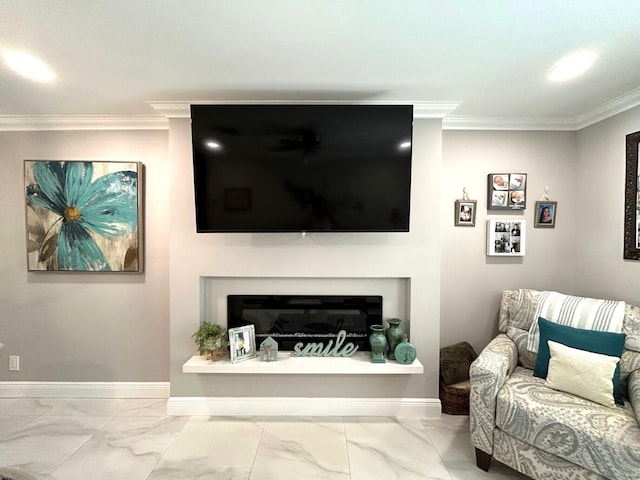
299,406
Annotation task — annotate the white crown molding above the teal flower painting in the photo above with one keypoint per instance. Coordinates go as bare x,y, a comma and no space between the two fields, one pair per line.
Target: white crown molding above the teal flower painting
18,123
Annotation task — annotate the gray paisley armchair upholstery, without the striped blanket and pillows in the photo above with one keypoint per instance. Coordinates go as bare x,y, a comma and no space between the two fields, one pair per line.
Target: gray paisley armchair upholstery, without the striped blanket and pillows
544,433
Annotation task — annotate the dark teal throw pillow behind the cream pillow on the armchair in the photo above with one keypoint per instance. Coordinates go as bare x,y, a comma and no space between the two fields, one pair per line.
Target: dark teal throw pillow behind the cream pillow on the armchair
605,343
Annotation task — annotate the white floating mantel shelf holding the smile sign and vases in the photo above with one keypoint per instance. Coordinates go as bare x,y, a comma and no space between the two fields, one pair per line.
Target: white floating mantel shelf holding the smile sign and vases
358,364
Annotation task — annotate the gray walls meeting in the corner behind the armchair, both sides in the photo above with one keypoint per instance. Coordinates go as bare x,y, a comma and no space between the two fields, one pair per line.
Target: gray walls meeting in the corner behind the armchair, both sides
585,172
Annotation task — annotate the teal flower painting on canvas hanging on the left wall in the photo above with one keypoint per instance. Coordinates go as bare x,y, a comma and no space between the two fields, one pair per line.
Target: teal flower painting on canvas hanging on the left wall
83,216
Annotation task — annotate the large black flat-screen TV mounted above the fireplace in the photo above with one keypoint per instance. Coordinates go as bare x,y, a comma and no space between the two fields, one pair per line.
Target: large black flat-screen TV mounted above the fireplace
302,168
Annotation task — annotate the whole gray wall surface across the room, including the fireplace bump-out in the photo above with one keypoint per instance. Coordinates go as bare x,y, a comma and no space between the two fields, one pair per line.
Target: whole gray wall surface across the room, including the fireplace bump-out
117,327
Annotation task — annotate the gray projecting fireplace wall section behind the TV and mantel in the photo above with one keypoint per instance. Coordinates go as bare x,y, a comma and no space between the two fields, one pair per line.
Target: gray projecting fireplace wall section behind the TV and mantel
366,256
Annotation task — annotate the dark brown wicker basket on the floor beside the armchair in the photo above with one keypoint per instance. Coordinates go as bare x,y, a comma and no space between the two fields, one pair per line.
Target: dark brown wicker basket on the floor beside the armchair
455,387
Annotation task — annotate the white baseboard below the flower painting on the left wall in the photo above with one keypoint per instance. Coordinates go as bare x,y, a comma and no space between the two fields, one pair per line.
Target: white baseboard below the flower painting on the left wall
84,389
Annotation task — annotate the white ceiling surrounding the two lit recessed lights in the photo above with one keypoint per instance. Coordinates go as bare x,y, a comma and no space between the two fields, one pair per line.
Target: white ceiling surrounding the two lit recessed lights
490,58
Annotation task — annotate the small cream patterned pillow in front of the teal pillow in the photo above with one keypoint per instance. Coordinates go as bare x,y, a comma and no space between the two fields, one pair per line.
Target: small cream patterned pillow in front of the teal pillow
585,374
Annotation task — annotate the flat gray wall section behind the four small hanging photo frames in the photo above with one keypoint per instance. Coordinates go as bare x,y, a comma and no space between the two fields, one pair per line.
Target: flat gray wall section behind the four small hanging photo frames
471,282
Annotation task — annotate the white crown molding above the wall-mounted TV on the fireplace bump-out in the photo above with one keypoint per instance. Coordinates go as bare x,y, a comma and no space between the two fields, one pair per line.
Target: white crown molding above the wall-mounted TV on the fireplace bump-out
182,109
